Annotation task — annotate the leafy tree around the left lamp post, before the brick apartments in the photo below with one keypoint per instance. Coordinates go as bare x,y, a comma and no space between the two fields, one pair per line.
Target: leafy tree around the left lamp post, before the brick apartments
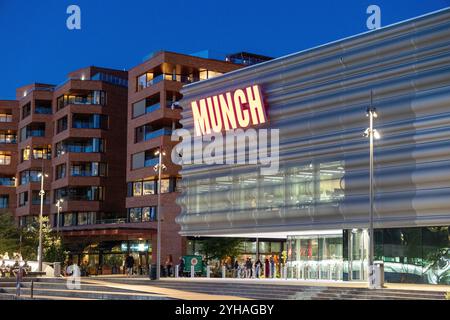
52,246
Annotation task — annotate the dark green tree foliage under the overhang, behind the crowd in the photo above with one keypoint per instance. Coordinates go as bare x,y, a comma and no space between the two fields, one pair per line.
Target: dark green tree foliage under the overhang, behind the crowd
221,248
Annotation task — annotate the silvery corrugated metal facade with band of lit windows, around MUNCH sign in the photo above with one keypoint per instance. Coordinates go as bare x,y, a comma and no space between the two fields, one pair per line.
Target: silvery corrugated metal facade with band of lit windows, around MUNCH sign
318,99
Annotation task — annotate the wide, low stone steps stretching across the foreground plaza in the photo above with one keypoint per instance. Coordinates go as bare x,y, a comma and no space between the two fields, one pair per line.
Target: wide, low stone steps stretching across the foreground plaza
55,289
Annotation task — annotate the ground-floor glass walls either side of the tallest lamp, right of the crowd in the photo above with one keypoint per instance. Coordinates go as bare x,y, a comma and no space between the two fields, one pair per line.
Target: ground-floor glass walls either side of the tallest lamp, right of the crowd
409,255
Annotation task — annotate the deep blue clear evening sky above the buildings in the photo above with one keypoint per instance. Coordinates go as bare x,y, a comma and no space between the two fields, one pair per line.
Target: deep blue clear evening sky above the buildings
36,46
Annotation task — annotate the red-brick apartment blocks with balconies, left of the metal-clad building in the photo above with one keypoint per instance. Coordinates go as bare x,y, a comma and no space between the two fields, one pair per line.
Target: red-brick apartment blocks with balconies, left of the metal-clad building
95,137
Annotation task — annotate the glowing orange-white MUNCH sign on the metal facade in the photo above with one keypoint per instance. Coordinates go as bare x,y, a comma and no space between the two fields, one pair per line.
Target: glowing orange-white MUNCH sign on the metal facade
240,108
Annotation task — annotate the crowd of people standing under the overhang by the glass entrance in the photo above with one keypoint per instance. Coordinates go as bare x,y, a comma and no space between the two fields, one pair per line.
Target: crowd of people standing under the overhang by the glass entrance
258,269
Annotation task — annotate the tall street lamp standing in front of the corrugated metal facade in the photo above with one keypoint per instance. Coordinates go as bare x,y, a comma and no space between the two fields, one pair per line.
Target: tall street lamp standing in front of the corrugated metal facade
372,134
